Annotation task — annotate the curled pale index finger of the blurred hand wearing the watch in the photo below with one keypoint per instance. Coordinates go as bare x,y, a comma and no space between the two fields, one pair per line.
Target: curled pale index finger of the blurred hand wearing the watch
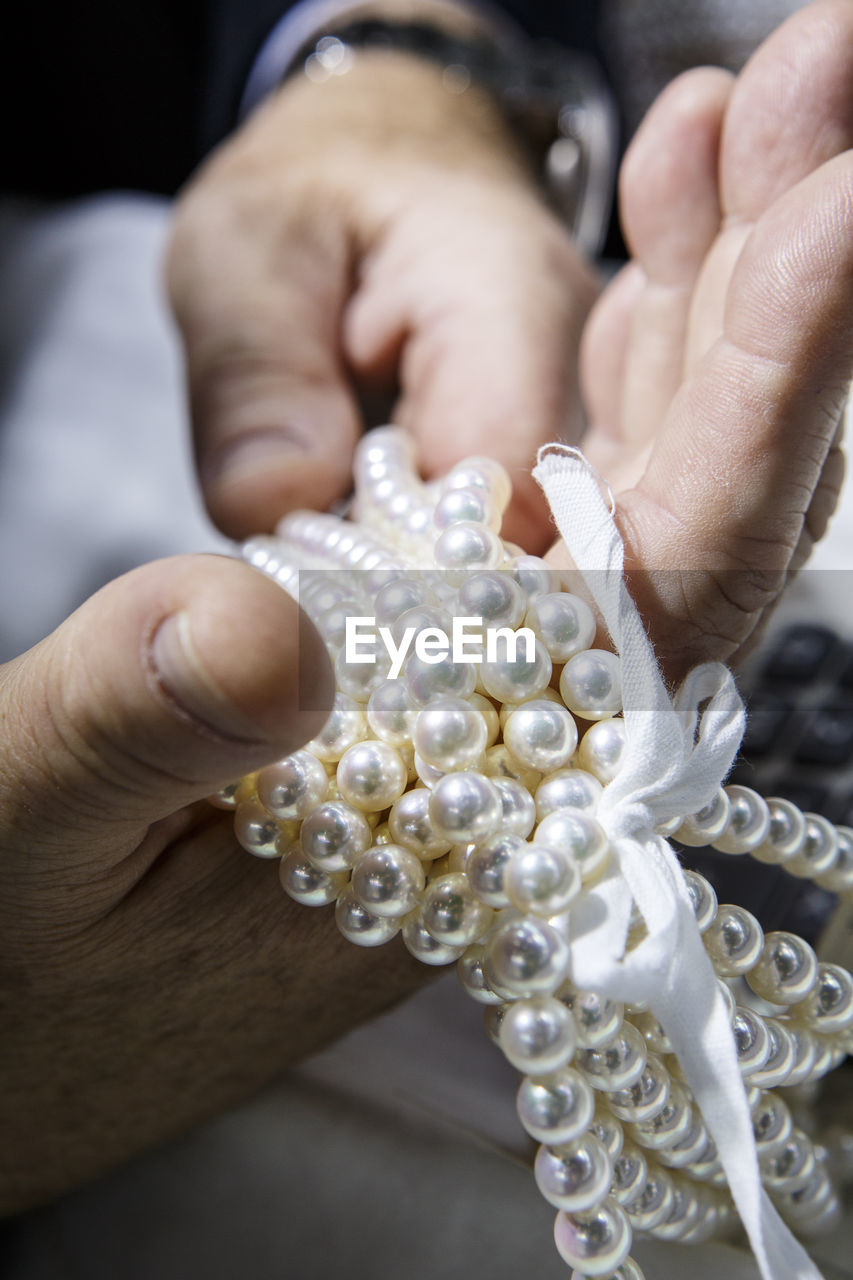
481,298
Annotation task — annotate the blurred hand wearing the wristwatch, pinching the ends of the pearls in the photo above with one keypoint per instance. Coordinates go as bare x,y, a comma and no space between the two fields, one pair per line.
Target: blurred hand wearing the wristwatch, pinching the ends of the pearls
373,240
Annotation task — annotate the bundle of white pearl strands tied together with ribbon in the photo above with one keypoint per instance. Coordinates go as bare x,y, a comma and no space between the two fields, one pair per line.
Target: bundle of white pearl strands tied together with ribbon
457,806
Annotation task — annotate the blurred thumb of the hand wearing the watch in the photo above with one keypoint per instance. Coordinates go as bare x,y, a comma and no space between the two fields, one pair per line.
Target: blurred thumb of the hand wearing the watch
258,295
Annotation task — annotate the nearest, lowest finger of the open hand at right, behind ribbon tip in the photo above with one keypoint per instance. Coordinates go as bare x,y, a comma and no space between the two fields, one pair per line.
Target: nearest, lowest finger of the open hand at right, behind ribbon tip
731,481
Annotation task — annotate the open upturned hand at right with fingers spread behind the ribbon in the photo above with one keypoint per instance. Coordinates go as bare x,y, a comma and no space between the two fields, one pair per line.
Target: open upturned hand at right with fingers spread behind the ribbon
717,365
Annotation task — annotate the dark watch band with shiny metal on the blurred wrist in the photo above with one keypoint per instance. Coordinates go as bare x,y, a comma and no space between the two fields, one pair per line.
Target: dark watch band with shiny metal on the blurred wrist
556,102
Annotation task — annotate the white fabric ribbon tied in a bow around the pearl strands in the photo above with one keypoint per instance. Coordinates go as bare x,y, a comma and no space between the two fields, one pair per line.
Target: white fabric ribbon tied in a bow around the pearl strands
674,764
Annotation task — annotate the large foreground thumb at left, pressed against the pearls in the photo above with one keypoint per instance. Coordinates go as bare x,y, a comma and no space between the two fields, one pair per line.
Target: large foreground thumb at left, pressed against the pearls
167,684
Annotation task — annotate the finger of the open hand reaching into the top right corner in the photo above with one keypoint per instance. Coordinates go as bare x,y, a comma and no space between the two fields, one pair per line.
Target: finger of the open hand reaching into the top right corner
791,111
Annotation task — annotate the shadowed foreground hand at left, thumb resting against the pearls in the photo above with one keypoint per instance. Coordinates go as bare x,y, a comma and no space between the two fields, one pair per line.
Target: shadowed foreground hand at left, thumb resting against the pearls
152,973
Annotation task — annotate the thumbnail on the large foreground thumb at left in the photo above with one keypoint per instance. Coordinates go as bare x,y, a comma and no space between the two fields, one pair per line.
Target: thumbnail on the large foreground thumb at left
183,679
